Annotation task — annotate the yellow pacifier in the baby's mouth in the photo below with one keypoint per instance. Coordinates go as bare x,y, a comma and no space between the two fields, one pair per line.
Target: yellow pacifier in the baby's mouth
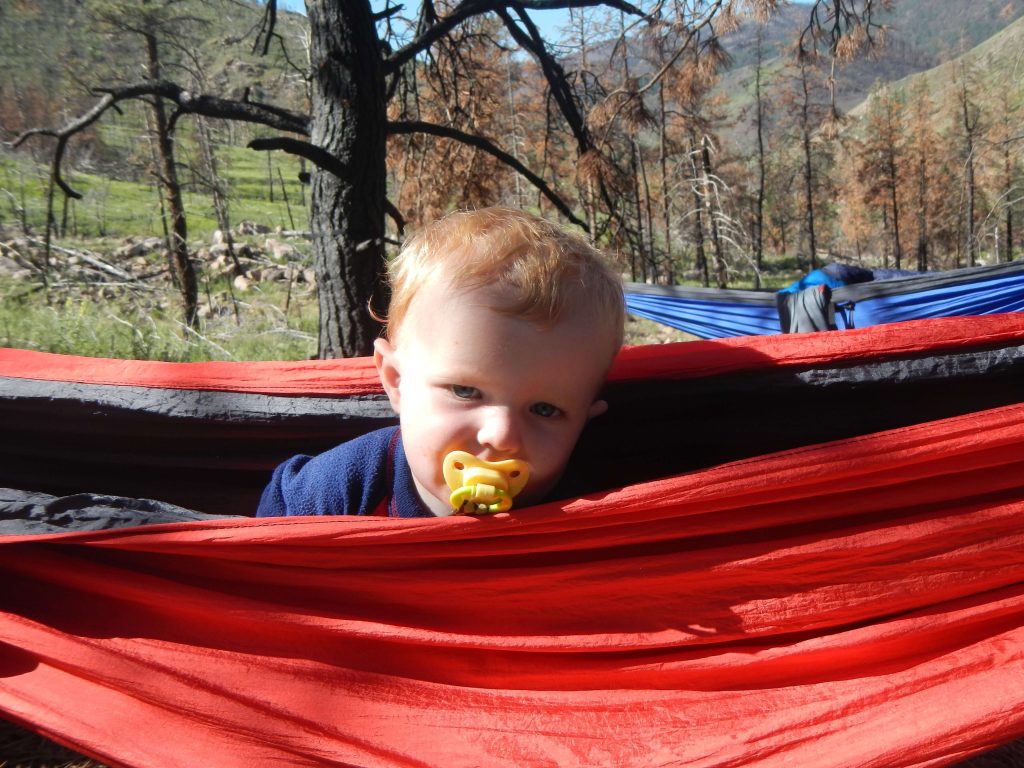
481,488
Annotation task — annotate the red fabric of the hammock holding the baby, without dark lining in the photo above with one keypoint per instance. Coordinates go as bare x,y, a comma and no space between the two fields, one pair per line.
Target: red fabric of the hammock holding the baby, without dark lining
859,603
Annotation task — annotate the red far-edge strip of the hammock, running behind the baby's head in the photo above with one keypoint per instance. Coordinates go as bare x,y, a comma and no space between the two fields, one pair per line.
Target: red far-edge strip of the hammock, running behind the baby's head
688,360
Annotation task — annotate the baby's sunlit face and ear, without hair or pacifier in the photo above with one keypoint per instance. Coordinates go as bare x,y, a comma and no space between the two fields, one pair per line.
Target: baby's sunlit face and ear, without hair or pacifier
464,377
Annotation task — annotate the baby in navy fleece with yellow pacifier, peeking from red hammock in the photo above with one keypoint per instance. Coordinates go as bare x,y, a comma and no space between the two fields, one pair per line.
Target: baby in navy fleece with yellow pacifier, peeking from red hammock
500,333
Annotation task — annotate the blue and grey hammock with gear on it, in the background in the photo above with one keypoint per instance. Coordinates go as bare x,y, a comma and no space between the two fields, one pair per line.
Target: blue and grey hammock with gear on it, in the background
837,296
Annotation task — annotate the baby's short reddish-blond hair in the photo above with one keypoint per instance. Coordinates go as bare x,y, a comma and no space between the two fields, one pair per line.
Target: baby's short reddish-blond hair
542,267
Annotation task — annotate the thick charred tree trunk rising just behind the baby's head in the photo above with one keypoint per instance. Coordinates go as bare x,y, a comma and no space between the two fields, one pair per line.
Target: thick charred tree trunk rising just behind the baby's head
349,122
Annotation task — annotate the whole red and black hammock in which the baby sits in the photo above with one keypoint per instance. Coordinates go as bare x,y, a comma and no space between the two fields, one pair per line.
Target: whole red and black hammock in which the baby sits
801,550
